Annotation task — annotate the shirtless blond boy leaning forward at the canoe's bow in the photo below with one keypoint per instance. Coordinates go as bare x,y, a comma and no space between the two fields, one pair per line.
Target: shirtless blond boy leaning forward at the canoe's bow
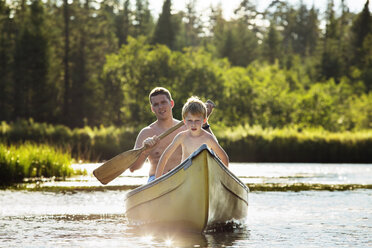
194,114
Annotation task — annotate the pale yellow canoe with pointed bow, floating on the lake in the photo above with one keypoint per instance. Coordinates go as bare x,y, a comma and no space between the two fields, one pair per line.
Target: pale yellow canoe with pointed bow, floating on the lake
199,194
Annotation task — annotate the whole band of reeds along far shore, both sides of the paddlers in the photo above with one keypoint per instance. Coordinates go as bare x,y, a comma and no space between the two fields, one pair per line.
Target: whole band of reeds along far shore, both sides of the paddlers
243,143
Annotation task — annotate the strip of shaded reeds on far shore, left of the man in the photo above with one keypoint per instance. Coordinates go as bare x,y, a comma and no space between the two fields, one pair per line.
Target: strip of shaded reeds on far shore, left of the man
87,144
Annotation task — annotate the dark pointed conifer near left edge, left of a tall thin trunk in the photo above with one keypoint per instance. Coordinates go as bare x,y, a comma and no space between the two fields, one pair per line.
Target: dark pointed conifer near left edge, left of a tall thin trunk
31,67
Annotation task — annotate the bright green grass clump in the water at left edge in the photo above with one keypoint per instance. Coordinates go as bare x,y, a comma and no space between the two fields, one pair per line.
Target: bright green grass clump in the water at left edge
30,160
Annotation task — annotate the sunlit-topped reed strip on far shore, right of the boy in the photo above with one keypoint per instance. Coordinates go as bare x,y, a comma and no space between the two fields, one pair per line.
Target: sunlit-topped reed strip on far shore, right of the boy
255,144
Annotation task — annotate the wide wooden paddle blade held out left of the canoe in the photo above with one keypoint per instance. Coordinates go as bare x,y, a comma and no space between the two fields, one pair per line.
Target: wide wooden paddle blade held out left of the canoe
117,165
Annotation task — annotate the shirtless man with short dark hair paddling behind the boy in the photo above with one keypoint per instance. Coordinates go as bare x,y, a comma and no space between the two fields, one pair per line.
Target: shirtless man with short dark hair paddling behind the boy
161,105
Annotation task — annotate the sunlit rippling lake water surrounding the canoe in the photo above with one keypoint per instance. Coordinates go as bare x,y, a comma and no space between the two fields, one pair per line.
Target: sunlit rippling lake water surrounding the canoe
290,205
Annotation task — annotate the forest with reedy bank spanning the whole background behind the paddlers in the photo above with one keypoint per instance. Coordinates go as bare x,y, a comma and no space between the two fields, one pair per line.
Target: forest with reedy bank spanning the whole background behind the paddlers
286,77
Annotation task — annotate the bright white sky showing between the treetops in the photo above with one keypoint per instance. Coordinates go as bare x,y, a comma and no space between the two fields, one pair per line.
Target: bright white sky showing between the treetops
228,6
